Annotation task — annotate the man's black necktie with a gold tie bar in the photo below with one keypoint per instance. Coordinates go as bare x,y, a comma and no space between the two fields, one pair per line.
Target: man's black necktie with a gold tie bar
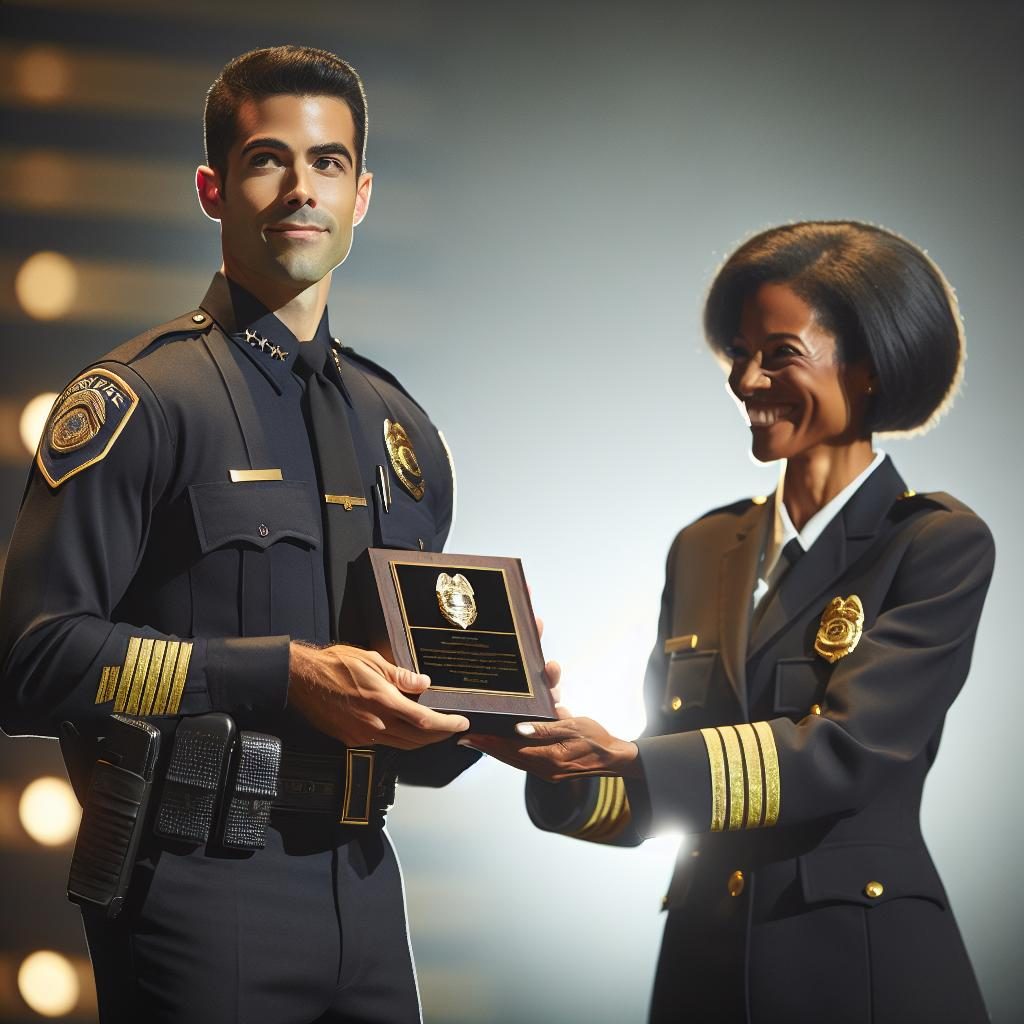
348,525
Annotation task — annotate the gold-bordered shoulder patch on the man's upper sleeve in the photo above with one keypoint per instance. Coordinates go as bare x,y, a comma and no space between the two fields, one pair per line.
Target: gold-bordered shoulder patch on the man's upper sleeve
86,421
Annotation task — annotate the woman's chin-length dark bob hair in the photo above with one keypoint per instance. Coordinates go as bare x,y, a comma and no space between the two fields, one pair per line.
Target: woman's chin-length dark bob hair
882,298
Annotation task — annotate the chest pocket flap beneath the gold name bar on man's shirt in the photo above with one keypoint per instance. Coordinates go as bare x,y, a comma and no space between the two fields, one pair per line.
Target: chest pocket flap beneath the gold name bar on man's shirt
260,514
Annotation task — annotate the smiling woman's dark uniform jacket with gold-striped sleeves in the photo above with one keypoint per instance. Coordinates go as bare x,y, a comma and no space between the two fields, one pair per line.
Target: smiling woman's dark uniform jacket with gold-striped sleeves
798,756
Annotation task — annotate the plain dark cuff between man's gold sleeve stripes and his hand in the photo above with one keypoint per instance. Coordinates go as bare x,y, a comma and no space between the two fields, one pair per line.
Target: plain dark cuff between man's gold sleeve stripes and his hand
248,673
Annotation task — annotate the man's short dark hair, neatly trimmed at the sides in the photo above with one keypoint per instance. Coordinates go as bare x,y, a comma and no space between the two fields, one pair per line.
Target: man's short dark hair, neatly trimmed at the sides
278,71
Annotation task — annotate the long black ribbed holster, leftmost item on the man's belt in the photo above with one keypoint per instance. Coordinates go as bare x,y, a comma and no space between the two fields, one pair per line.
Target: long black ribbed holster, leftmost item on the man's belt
114,815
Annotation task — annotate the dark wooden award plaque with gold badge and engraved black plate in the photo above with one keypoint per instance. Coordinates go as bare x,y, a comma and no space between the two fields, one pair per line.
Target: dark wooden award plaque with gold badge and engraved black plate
467,623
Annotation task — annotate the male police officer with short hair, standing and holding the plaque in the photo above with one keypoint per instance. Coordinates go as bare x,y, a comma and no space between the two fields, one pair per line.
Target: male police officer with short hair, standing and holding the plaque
183,550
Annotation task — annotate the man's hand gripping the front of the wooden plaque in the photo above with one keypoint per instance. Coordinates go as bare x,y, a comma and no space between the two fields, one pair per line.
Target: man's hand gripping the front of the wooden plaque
359,698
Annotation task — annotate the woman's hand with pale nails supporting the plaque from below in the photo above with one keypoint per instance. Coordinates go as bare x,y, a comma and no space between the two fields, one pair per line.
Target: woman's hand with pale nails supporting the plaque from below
570,748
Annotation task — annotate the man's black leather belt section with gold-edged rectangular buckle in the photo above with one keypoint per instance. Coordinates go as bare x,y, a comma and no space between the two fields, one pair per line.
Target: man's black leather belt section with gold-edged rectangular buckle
357,787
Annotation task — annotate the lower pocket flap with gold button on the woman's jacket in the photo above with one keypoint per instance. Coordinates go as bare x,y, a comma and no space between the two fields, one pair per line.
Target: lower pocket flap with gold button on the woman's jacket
870,875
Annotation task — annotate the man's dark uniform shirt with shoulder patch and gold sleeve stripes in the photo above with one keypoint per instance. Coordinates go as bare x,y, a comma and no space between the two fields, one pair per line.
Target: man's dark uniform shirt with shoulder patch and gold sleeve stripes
147,576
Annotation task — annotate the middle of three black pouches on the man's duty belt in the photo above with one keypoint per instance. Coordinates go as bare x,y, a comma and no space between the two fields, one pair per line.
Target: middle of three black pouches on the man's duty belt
195,778
